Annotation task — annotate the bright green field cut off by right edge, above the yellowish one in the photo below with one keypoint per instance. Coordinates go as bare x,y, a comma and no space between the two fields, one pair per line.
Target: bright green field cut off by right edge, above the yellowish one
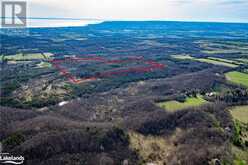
238,78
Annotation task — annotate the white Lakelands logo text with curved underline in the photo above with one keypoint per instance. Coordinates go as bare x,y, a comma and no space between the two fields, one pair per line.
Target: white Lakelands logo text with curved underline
6,158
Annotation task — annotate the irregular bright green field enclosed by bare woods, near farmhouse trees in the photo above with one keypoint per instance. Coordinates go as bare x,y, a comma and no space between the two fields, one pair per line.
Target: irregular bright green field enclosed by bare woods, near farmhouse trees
189,102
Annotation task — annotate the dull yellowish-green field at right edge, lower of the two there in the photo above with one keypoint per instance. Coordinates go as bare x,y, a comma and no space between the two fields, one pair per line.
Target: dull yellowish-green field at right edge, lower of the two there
240,113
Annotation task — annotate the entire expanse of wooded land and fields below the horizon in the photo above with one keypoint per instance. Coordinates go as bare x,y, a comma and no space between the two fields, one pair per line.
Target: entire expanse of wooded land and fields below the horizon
126,92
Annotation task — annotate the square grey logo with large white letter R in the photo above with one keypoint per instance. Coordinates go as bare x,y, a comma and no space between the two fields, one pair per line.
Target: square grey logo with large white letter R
14,14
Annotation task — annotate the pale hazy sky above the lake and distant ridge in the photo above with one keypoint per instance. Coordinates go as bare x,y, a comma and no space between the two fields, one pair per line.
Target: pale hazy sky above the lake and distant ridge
190,10
